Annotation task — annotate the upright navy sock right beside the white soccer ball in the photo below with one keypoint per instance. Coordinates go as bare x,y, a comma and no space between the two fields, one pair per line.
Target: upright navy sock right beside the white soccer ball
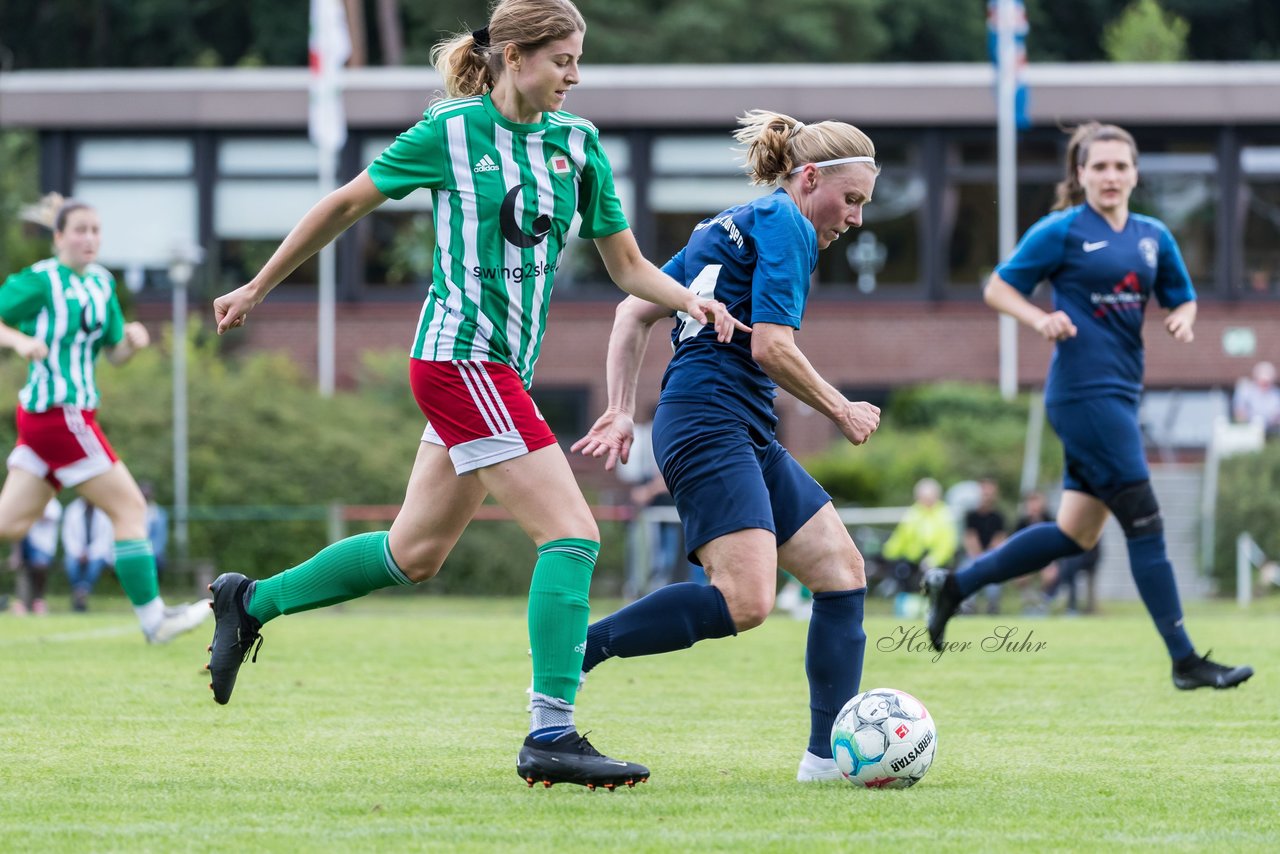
834,661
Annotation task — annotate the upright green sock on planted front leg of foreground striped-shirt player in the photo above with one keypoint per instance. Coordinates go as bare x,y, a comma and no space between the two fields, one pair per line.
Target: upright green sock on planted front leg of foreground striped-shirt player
559,613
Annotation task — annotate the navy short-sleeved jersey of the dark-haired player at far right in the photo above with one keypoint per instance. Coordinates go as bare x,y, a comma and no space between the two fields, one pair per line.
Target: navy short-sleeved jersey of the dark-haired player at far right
1101,280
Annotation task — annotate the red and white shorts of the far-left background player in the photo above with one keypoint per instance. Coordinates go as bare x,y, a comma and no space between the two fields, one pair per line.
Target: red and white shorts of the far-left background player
65,446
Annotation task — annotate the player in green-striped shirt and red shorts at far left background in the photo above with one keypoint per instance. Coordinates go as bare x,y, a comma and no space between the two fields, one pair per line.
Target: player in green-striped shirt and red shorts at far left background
60,314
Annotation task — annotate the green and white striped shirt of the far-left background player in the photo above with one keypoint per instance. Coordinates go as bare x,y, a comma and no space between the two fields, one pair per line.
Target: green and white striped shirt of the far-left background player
76,316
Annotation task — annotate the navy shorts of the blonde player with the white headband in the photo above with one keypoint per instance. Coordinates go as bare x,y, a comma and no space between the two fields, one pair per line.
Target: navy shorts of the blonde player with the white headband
728,477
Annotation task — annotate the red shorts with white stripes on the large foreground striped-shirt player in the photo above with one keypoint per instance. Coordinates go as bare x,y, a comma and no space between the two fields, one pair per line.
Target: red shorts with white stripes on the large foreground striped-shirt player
481,412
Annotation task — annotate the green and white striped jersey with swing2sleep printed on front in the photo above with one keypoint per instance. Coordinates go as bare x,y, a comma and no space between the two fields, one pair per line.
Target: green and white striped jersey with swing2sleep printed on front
505,197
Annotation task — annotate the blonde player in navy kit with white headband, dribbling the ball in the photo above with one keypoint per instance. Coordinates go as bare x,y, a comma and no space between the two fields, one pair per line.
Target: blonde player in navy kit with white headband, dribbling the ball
747,505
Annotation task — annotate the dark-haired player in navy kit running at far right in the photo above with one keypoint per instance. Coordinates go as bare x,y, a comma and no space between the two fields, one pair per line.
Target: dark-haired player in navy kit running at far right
1104,264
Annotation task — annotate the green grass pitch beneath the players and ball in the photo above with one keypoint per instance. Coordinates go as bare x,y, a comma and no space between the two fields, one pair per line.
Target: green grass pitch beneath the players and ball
392,725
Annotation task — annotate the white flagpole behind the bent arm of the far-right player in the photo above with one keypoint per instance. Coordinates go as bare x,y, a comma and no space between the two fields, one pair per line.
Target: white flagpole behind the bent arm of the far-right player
1007,154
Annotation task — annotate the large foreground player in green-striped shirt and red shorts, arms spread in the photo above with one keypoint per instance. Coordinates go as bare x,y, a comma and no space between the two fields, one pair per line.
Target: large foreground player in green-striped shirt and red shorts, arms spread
509,171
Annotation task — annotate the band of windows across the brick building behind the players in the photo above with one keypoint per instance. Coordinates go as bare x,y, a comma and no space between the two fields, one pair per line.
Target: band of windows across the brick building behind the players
931,232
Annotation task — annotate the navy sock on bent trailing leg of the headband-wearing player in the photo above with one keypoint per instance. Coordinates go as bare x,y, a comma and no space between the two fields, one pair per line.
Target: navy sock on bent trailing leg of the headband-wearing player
673,618
